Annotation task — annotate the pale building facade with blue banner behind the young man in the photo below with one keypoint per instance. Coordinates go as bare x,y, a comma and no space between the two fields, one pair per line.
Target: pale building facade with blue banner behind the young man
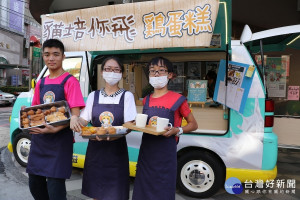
16,27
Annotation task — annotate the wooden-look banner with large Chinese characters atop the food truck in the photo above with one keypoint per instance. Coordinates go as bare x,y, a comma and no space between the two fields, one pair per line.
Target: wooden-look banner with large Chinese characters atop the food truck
142,25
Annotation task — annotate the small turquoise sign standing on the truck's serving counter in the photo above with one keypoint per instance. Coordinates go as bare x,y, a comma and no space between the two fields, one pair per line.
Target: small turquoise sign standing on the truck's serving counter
197,90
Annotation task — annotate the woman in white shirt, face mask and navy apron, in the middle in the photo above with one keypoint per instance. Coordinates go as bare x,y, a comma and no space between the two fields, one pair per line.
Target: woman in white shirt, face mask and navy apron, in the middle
106,168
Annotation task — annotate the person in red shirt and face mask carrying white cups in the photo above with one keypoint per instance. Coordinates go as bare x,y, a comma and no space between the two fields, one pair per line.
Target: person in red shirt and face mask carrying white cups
157,162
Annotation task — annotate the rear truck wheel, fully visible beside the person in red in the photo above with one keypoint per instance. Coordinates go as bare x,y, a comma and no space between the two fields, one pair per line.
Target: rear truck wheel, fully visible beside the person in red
200,174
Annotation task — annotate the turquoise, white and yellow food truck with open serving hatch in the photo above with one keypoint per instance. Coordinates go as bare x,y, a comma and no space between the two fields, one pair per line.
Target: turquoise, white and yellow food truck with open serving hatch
234,136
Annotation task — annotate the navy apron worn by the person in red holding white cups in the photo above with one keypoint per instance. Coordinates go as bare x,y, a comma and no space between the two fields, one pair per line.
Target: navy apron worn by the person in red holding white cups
157,162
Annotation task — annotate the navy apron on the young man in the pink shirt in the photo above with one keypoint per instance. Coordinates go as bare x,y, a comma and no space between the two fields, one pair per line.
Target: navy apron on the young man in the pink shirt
51,154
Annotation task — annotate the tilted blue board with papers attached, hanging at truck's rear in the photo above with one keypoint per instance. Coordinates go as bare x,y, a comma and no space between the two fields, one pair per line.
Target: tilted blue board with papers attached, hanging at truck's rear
235,94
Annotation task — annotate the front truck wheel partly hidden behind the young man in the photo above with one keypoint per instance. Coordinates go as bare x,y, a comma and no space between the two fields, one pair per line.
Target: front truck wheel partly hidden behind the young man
21,147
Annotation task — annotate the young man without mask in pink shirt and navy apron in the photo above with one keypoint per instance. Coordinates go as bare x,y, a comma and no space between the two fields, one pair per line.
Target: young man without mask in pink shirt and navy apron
50,157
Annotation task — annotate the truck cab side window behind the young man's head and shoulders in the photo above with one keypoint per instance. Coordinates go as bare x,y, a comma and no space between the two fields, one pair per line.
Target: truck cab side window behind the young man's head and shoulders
71,65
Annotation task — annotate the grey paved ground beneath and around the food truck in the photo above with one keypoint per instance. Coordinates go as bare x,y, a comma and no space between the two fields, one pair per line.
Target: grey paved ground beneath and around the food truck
14,180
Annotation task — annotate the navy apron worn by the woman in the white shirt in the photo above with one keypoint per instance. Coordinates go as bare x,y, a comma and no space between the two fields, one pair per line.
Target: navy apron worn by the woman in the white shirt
106,167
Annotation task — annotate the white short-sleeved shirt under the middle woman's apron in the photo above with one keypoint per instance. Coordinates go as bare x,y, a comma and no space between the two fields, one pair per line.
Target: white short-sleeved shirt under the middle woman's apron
129,105
